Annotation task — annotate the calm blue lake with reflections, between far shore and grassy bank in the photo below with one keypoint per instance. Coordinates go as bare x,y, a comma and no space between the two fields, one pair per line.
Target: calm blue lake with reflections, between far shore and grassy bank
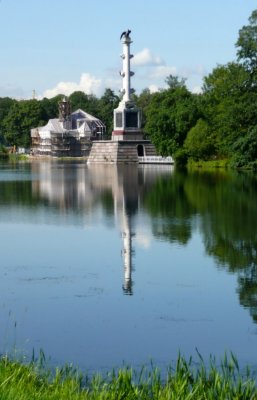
106,265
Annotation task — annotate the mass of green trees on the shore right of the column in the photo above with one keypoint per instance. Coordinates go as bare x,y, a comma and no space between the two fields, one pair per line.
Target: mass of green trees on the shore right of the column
220,123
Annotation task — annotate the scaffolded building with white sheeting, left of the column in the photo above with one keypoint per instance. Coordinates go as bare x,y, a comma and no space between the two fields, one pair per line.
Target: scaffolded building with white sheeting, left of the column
68,135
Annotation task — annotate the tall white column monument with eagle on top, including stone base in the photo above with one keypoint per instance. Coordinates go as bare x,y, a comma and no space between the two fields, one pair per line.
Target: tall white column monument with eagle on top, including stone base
127,144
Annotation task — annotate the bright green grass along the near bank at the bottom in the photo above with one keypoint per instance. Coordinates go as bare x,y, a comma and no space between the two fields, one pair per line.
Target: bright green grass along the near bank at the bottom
185,381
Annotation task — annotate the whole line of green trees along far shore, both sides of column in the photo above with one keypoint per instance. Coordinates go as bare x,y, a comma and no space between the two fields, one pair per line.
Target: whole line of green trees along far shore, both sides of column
220,123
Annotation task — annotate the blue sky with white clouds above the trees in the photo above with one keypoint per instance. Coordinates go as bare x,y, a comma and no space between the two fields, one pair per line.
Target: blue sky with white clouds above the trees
48,47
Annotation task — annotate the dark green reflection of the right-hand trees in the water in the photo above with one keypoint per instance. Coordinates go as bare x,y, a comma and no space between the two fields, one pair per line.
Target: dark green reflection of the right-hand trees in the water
226,204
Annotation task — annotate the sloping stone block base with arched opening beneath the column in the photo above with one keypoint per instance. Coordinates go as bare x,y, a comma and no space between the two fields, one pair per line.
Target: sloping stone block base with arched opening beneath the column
115,152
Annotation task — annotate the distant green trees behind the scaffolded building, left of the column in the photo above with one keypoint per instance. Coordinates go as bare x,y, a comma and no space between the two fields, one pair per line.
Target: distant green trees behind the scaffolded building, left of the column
18,117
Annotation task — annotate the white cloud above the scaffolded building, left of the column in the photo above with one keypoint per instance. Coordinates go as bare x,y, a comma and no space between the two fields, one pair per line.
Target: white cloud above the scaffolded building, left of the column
88,84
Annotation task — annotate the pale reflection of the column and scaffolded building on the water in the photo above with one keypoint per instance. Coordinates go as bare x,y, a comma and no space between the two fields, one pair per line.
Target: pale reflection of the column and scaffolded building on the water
82,187
